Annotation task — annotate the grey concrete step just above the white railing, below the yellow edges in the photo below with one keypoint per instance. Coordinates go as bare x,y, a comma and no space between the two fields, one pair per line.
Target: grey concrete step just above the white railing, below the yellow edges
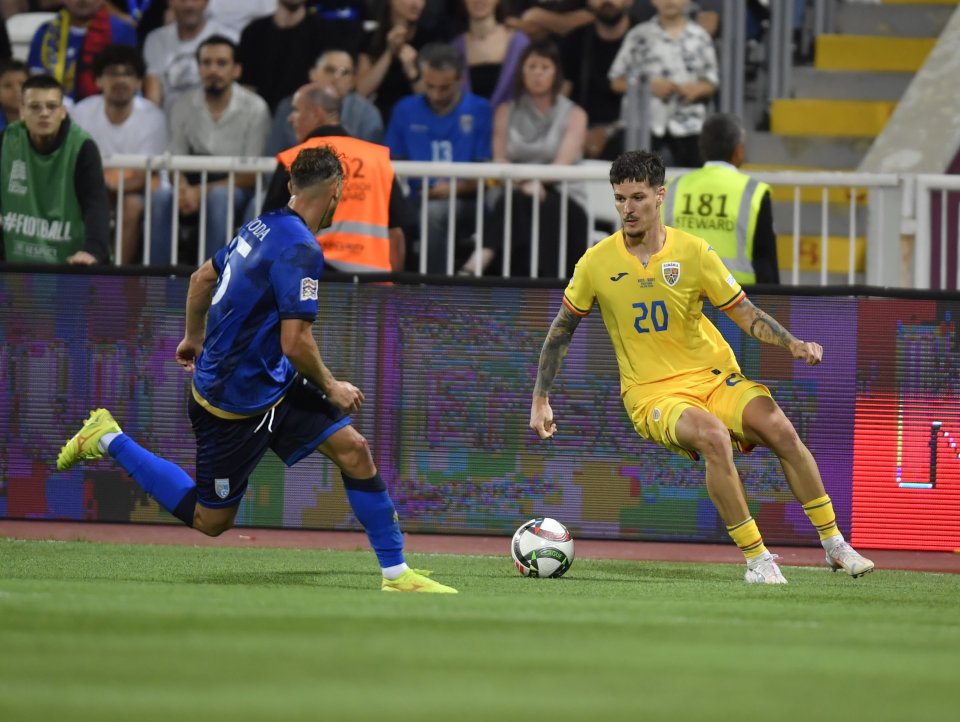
806,151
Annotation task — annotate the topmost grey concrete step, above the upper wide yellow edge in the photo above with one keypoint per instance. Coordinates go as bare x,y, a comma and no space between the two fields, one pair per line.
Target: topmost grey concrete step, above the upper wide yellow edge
911,21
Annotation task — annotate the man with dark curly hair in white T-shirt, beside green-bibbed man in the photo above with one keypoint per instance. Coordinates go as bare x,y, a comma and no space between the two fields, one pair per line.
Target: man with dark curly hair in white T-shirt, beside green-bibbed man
120,121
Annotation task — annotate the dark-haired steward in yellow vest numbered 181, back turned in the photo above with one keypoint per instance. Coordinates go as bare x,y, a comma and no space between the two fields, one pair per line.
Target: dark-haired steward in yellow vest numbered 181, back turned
727,208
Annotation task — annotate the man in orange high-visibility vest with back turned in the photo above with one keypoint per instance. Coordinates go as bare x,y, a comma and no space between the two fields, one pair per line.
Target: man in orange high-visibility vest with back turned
366,235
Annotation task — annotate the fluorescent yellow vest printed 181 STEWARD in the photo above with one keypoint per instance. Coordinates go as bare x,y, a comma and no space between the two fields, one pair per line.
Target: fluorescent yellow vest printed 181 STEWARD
720,205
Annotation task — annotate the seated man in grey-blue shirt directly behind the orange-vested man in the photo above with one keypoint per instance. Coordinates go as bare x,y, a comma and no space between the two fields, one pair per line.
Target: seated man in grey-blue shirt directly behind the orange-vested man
358,116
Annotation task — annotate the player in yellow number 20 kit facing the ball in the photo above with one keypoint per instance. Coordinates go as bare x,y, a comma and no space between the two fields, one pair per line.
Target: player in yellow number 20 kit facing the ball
679,379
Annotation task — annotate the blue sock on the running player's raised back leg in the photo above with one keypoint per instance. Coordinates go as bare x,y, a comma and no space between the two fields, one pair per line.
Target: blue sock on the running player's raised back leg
166,482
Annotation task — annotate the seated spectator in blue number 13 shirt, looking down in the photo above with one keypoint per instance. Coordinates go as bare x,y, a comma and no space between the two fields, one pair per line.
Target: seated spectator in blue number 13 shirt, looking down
443,124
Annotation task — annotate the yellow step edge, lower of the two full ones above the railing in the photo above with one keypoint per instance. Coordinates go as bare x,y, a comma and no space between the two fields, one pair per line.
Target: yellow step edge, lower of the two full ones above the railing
833,118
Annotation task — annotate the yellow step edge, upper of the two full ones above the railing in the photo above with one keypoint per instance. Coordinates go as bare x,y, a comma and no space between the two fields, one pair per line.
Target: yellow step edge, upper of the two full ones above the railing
871,52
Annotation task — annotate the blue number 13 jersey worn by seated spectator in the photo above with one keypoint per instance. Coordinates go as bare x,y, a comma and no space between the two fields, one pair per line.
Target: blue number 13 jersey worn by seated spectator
463,135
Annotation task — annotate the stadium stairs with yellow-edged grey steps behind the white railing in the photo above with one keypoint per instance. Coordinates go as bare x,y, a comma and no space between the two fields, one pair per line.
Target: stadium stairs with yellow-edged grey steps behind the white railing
840,104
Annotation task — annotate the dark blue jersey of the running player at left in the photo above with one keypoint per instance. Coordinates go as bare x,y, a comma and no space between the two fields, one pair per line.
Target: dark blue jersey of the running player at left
269,272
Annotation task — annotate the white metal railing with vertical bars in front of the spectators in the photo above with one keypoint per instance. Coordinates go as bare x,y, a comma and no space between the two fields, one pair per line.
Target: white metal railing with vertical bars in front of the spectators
888,212
